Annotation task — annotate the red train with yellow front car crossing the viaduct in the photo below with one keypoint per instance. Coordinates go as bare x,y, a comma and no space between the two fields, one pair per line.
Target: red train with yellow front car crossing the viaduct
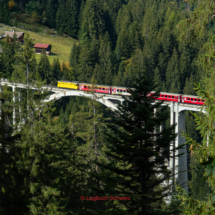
114,90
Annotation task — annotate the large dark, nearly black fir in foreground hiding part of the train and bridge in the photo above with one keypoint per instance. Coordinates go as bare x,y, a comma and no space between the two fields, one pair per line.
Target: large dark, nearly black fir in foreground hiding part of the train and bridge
136,154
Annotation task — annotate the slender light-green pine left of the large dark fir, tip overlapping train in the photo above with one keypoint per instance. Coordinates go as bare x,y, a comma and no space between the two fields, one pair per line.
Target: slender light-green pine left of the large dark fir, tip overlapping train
88,124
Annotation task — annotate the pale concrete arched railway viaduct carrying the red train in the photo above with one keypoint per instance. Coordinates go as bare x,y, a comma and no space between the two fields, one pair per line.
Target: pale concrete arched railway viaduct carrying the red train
177,115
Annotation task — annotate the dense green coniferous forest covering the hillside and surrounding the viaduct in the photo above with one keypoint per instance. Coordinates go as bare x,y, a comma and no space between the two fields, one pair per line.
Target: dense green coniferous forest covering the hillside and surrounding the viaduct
59,154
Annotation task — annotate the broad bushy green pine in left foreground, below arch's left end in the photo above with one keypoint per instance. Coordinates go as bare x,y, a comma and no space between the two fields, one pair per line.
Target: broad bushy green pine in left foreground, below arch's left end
47,157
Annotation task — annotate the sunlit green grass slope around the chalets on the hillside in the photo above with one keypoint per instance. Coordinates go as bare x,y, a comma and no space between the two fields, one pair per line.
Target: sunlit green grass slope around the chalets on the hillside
61,47
